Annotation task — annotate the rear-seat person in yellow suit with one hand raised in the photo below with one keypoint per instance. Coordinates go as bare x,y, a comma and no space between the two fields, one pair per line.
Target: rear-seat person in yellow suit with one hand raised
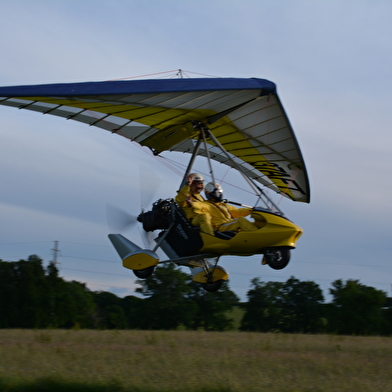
189,194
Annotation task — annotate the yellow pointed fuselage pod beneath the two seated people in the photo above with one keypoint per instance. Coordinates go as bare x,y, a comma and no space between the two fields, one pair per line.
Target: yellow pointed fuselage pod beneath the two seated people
274,231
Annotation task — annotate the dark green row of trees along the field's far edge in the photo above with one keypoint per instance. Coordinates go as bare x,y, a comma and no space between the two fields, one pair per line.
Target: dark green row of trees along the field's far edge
32,296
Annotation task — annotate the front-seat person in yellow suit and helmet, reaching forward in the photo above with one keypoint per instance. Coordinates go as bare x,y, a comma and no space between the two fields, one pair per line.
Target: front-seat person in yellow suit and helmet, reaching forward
224,217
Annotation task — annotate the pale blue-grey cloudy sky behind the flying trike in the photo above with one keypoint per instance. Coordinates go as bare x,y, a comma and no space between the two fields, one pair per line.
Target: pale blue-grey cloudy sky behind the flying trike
331,62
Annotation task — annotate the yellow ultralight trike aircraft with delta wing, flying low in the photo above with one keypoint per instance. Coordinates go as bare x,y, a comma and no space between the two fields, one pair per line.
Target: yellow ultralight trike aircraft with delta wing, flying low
237,122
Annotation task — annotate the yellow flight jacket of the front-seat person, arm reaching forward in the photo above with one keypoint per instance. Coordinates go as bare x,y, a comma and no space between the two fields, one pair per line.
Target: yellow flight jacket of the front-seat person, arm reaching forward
220,212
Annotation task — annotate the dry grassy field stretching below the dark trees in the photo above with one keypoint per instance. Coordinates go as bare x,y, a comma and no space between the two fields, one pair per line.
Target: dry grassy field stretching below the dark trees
152,361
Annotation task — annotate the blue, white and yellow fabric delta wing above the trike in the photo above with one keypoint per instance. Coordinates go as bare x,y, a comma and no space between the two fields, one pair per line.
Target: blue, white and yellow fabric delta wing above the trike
245,115
